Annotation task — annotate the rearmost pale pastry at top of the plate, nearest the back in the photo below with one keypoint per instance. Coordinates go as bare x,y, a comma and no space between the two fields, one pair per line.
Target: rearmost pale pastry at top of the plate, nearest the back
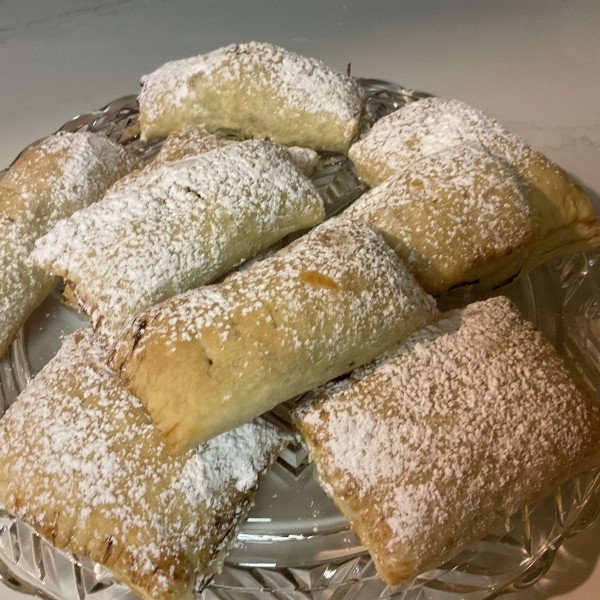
256,90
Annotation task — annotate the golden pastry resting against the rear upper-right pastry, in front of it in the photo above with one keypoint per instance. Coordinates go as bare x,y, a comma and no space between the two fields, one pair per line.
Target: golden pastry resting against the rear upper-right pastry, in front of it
451,213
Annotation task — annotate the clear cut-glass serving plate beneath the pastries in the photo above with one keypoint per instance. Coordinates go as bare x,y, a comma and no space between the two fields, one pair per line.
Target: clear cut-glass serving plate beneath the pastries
295,544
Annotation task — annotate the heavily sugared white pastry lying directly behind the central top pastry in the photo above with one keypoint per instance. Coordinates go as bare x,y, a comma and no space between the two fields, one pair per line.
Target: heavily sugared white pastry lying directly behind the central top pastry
177,227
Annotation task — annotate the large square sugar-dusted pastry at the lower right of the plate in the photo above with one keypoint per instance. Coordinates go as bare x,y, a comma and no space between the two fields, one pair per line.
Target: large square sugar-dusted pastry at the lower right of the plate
434,445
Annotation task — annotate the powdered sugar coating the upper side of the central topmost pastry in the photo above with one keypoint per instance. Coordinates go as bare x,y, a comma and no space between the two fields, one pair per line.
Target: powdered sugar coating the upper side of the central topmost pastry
342,254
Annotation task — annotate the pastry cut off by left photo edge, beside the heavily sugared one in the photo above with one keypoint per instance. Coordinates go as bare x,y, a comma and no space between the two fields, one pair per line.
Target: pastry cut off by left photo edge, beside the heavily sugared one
49,181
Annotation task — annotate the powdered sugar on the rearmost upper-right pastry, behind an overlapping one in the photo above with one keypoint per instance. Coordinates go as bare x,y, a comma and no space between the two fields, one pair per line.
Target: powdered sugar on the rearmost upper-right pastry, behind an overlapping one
427,127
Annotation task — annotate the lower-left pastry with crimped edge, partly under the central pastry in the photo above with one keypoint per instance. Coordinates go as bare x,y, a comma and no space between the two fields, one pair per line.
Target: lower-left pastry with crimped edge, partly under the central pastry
81,462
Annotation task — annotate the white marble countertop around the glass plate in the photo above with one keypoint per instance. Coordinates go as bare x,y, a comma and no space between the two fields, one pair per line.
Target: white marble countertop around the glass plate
535,65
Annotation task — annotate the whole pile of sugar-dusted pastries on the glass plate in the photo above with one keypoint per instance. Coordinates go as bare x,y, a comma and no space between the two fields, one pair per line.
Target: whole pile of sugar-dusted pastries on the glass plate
141,444
